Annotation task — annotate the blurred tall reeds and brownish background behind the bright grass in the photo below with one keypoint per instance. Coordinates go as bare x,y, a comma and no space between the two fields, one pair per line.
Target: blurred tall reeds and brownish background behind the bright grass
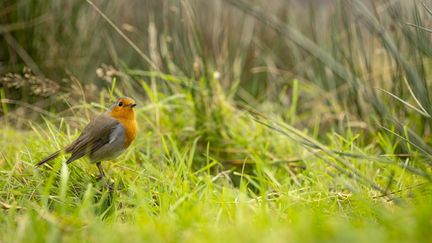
332,63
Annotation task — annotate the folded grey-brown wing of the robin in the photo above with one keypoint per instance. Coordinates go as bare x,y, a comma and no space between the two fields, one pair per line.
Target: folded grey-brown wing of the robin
95,135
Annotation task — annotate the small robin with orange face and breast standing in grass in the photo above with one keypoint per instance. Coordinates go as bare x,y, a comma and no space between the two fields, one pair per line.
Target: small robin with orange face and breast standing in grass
105,137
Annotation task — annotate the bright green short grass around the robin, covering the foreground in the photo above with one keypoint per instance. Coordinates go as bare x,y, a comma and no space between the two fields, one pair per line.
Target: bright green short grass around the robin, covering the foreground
256,184
